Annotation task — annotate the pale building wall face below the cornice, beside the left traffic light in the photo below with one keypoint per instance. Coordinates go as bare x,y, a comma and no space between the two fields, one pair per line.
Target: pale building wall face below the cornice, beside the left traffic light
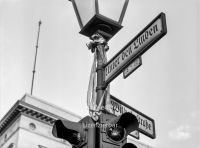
37,134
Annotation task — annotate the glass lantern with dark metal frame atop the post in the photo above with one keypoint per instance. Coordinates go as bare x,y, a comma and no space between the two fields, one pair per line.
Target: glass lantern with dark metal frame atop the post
100,16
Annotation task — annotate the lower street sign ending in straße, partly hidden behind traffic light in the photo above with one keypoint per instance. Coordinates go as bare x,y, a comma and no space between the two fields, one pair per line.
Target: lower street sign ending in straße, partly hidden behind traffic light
146,124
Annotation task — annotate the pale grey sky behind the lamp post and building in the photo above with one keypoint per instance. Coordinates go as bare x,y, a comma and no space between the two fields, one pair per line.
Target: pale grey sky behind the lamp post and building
166,87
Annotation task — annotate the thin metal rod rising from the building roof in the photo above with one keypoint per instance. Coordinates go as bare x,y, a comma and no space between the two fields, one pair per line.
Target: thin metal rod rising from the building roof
36,51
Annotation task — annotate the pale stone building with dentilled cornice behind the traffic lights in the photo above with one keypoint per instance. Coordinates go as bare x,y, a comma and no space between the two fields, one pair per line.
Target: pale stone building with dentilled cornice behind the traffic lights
28,124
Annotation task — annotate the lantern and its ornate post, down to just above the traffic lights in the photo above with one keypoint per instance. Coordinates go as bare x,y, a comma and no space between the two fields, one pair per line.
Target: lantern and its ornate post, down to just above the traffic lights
99,20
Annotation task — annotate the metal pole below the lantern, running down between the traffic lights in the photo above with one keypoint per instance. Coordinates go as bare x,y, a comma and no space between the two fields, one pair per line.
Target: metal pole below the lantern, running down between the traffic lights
99,45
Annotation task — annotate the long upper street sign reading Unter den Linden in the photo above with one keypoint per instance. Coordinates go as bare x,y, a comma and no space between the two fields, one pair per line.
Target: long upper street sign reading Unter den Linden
155,30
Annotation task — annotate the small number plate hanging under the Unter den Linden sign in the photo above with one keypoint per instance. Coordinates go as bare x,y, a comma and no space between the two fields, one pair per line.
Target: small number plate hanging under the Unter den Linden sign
132,67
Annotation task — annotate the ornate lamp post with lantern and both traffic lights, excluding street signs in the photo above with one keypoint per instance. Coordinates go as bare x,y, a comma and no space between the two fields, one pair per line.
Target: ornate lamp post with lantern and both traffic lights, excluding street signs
99,20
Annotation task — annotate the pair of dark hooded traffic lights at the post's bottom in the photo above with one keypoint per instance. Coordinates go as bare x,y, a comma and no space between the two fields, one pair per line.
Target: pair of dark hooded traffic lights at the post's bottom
108,132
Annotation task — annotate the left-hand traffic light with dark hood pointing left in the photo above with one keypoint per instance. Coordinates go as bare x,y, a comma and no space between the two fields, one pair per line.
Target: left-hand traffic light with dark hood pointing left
76,133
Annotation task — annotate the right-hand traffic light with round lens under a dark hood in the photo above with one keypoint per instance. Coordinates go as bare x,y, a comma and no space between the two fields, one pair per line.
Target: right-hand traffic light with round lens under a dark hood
116,129
